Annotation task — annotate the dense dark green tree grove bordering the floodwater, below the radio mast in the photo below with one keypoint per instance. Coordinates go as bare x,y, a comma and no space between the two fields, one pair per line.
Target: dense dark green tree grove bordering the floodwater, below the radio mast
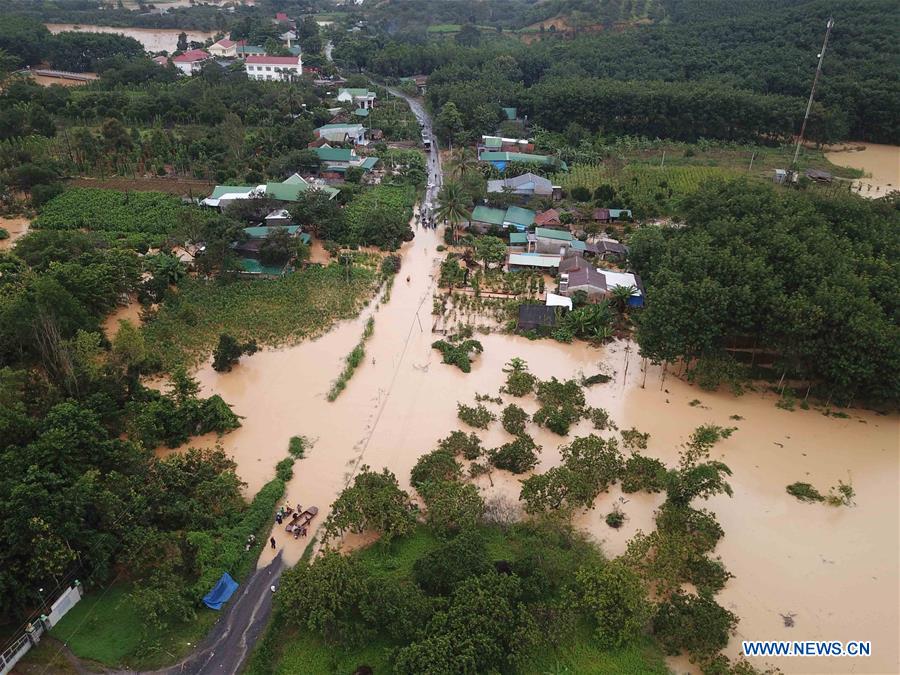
803,284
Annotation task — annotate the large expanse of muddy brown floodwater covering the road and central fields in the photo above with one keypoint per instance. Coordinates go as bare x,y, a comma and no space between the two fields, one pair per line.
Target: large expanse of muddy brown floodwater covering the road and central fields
835,569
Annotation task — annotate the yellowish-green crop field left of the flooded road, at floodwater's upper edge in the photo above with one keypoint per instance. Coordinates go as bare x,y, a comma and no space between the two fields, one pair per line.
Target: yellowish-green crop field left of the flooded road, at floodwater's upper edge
273,312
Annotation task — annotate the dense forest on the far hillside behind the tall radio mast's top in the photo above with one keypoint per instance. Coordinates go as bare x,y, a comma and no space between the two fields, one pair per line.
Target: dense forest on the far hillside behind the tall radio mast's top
743,75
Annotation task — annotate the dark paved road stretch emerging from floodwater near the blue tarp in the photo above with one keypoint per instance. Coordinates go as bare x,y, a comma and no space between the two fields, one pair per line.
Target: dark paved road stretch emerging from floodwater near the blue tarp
232,638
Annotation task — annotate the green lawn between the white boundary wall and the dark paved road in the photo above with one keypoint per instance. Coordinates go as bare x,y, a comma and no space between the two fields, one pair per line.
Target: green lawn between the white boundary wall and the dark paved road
106,628
